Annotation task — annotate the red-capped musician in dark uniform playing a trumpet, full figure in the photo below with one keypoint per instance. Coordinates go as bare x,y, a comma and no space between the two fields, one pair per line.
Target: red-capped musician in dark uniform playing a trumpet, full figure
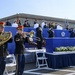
20,39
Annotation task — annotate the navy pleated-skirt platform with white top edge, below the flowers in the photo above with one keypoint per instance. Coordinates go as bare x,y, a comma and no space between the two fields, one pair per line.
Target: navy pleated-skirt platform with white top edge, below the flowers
61,59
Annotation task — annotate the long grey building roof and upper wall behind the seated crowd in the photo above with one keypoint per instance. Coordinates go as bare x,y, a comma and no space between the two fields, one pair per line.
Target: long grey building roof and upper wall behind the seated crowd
39,19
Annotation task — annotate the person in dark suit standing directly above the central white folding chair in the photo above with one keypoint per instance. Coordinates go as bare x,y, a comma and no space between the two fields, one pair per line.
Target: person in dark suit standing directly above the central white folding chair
39,35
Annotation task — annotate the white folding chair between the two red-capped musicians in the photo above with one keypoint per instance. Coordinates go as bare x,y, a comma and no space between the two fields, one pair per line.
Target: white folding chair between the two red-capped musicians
11,65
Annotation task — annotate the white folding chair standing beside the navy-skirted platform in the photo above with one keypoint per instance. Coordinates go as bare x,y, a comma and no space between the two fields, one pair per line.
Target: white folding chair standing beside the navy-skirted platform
40,57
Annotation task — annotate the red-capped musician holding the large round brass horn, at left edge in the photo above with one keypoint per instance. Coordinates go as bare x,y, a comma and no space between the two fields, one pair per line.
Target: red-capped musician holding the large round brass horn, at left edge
3,49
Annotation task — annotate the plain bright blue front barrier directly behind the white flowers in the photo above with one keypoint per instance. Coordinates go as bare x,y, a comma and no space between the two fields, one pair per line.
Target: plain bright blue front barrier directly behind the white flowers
52,43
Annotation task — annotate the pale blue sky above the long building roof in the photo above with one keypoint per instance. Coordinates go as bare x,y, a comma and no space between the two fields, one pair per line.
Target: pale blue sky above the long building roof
52,8
